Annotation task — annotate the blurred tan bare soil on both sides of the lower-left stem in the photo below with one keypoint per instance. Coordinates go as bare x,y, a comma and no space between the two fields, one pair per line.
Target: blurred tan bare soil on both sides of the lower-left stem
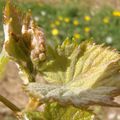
10,87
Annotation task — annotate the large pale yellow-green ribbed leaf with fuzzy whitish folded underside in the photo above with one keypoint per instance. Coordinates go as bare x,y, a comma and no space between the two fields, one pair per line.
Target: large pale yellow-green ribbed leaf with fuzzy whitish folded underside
90,76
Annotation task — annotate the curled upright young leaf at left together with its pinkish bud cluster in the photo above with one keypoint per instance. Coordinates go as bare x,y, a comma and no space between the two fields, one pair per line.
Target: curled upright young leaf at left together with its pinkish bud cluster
24,40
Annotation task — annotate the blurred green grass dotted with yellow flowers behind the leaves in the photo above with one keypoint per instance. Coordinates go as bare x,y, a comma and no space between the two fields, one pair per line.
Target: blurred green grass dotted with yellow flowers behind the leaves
47,17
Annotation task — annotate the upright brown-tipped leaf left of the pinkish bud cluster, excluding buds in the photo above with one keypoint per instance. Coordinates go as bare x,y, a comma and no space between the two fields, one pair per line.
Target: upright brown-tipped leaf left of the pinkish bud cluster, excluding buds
15,44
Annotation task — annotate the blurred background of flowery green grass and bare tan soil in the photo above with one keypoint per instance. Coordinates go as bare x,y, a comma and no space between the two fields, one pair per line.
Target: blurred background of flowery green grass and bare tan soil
81,20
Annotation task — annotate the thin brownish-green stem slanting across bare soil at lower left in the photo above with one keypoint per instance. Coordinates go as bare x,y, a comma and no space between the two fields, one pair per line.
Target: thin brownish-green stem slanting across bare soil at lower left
10,105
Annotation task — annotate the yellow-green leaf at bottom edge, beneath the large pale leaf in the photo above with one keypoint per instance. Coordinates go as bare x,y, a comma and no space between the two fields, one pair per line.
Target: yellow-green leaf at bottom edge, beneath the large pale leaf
55,111
